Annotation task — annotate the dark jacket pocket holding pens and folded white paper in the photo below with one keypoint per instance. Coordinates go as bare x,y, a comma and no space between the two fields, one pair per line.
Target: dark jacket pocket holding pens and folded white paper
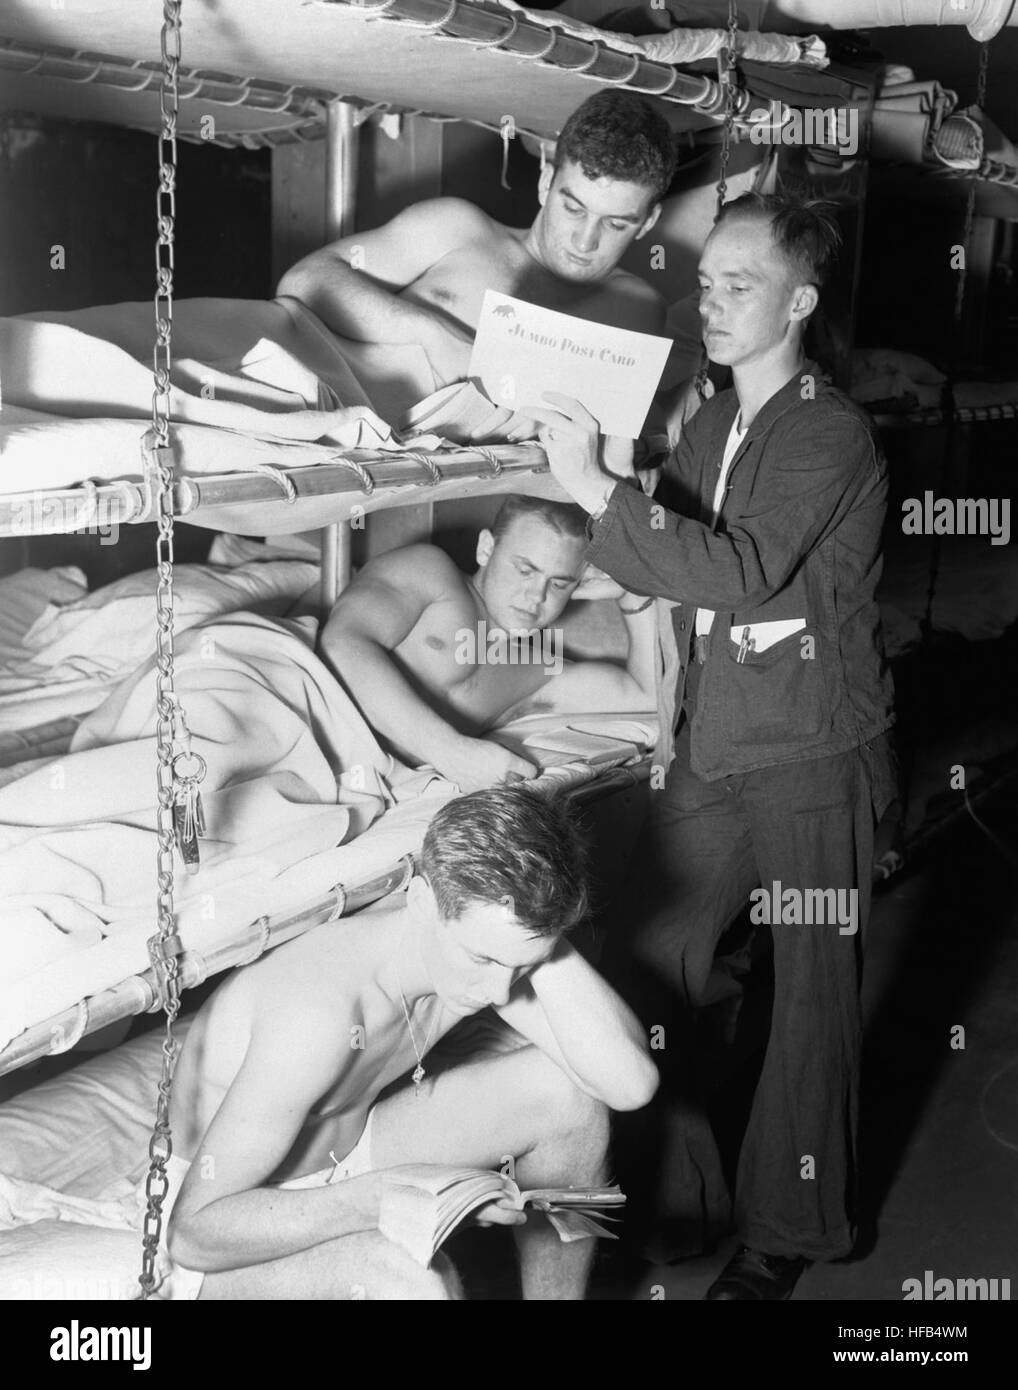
774,682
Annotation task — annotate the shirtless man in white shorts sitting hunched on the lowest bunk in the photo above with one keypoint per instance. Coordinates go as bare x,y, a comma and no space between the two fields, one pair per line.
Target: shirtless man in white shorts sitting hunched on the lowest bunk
283,1134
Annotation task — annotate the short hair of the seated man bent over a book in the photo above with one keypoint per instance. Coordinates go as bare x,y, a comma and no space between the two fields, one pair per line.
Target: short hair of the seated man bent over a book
510,846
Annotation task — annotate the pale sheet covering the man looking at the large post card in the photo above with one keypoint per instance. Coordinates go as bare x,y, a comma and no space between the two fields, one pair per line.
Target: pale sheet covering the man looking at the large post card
254,382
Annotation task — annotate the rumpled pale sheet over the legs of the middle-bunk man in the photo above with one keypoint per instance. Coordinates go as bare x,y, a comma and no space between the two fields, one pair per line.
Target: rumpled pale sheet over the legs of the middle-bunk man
296,778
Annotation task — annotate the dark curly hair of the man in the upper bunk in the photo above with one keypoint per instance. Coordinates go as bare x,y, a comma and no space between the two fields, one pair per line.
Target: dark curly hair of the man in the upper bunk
621,136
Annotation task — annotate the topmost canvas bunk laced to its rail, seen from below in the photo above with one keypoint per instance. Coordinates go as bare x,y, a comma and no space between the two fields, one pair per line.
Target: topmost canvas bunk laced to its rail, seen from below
467,60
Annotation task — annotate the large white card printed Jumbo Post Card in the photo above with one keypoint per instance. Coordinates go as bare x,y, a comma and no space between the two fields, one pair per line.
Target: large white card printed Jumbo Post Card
522,351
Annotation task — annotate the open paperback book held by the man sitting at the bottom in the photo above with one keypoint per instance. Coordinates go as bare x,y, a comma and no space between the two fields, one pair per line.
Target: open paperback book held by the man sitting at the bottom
425,1203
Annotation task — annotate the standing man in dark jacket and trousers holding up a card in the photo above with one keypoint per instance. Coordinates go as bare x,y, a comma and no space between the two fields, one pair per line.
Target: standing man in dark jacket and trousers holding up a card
781,761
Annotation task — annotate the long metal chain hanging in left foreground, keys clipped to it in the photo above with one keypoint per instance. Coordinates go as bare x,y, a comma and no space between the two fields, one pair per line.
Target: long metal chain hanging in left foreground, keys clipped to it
163,949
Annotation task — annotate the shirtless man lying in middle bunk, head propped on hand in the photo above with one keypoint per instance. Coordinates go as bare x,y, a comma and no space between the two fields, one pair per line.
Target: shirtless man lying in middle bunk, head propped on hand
436,658
